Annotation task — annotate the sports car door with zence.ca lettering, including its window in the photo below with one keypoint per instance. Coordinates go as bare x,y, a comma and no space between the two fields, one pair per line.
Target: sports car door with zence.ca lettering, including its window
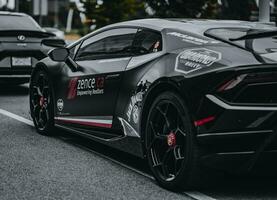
92,89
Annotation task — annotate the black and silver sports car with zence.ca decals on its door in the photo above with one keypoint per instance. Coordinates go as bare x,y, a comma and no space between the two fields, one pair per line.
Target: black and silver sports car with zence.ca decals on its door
182,93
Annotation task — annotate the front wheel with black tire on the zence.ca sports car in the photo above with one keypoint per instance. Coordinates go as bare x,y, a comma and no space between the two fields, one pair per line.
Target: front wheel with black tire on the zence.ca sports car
41,103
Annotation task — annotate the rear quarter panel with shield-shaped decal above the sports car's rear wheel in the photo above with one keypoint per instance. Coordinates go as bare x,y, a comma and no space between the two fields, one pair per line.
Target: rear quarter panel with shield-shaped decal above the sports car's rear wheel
191,83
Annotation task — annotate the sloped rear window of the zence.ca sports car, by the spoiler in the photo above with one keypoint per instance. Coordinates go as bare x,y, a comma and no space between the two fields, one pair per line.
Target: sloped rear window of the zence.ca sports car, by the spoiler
263,46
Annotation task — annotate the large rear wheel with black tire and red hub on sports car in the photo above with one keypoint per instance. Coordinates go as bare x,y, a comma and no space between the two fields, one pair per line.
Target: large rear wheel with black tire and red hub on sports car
174,165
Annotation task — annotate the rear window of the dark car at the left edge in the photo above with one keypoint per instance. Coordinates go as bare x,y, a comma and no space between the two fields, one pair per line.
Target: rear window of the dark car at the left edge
12,22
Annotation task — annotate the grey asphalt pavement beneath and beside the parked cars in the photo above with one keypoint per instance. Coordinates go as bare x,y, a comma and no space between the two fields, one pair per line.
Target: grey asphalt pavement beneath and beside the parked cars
68,166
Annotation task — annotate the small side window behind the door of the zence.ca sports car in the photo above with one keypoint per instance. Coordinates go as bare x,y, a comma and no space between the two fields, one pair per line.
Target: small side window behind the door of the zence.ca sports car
147,41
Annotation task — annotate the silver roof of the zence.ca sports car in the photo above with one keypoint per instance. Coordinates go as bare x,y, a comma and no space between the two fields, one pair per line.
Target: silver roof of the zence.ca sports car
197,26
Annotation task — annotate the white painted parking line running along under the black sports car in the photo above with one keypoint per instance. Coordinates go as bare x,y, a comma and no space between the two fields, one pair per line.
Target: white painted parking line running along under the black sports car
193,194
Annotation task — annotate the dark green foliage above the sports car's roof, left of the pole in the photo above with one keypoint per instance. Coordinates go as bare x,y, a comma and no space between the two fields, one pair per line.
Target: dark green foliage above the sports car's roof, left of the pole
104,12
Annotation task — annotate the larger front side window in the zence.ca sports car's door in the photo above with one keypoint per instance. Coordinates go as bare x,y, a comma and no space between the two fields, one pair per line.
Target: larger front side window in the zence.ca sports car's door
114,43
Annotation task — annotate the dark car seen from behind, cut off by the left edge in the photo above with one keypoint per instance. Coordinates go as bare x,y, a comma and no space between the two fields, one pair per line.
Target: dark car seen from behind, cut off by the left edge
22,43
